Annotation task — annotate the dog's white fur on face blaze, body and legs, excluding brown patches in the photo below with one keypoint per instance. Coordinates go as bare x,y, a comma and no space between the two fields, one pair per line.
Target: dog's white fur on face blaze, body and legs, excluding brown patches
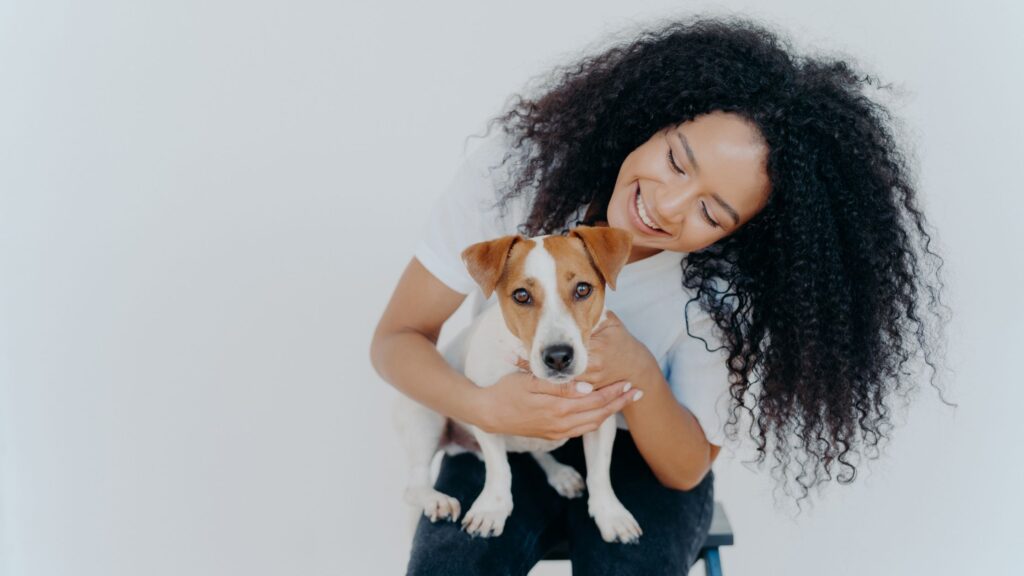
485,352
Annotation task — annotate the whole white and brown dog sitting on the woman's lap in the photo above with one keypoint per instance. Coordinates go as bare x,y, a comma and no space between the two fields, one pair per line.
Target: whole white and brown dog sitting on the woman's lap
550,299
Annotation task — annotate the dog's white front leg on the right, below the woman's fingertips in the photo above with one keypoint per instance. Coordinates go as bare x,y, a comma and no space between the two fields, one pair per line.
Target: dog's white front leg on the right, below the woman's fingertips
615,522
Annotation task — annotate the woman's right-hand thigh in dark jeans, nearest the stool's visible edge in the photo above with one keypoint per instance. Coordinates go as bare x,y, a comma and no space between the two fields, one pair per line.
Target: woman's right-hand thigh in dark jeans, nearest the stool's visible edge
675,523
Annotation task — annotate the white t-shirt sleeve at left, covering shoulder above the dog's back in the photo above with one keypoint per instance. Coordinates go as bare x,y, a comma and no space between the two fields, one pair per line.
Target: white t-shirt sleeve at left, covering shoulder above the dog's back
467,213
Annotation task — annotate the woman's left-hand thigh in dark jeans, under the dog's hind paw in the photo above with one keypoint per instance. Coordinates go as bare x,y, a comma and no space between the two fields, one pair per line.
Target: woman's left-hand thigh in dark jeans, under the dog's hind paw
538,521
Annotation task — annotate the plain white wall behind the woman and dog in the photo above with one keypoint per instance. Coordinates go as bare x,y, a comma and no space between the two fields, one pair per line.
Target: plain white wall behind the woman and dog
204,208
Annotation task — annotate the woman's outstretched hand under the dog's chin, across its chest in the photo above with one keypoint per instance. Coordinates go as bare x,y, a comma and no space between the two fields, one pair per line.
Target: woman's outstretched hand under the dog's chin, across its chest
522,404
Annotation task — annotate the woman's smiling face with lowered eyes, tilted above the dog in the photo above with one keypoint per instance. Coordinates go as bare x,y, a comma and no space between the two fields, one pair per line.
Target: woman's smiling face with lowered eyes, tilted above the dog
691,185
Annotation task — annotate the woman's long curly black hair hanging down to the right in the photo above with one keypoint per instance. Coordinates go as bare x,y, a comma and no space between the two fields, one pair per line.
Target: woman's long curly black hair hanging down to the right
827,296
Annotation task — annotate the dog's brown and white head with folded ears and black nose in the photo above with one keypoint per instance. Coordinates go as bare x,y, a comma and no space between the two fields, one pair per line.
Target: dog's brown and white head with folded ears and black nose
551,291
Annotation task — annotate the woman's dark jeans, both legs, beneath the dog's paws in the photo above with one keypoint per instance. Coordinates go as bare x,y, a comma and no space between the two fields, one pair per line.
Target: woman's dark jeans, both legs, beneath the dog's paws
674,523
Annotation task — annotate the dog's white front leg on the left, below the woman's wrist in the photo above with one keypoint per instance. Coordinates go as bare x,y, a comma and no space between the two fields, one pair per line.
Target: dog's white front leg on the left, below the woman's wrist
488,515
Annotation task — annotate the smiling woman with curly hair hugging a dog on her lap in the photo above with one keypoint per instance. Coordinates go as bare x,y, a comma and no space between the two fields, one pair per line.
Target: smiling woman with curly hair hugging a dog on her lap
776,188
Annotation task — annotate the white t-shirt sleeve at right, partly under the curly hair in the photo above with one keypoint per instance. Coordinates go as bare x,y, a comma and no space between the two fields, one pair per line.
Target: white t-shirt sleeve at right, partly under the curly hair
699,379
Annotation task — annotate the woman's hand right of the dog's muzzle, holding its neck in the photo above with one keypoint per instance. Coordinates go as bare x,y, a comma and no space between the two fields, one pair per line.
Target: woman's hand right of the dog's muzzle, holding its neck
614,355
